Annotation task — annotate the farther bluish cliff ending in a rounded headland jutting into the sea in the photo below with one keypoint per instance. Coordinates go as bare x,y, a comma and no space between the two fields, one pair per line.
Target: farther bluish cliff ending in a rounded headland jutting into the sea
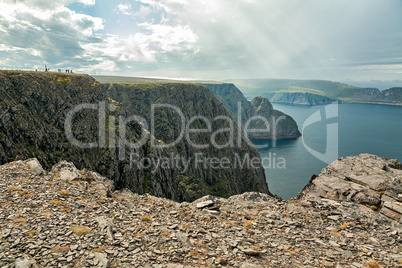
280,125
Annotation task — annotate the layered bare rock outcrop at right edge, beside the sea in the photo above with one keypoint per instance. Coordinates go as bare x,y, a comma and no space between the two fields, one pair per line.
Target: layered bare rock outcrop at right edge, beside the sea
369,180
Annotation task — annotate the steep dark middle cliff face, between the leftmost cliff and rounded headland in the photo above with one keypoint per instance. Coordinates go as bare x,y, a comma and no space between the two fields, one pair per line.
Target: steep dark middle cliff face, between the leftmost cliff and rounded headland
195,101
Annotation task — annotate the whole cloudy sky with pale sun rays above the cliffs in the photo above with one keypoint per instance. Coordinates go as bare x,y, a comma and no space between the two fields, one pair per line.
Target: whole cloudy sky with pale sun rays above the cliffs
206,39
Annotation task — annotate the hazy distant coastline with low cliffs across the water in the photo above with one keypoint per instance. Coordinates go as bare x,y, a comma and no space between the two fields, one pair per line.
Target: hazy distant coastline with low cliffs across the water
315,92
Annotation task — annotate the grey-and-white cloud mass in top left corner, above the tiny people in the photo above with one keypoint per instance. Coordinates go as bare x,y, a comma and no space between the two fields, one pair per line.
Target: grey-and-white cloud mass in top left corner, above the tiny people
52,36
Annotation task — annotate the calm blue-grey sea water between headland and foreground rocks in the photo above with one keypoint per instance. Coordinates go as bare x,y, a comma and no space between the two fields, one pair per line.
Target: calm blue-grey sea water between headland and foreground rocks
329,132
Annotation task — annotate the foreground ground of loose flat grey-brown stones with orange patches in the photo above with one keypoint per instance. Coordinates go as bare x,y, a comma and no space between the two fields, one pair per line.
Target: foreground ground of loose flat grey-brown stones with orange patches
71,218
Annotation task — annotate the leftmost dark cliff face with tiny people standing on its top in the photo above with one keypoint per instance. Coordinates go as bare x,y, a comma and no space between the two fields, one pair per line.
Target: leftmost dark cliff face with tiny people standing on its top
34,107
